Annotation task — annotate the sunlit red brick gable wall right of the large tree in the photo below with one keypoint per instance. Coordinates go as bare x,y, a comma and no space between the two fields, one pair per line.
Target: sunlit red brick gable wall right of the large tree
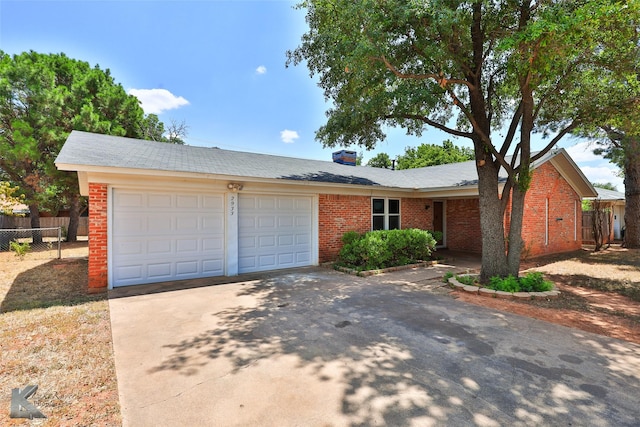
564,203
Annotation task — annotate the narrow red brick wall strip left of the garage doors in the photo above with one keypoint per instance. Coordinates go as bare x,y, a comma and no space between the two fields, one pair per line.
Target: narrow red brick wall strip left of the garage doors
97,237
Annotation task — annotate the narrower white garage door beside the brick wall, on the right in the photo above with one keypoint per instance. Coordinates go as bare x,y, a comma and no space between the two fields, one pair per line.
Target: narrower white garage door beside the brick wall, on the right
274,232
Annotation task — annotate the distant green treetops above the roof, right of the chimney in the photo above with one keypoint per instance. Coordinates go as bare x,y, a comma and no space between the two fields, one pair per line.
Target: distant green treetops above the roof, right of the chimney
432,154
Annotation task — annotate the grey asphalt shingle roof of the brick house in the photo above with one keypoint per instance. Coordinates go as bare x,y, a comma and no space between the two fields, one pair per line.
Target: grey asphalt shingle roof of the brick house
104,151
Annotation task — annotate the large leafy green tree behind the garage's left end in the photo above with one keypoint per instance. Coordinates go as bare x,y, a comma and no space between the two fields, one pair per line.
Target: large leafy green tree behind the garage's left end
42,98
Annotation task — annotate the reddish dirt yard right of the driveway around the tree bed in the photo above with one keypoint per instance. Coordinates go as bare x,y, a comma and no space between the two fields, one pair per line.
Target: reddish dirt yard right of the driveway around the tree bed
600,292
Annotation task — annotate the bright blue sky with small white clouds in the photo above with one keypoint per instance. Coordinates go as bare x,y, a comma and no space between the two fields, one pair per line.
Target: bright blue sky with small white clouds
217,65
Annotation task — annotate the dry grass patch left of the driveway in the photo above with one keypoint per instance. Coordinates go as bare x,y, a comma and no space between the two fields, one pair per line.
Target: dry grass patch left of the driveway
56,336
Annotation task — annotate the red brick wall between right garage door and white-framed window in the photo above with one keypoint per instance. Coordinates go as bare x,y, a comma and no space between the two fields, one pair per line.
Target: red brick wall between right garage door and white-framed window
338,214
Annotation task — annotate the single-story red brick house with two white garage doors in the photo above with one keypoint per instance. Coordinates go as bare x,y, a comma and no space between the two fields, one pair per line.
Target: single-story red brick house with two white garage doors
160,212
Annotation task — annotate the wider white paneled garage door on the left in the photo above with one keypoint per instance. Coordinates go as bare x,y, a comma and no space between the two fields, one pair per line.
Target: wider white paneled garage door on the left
160,236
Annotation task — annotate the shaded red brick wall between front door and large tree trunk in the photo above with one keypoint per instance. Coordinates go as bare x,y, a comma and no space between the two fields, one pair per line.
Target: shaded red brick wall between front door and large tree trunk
463,225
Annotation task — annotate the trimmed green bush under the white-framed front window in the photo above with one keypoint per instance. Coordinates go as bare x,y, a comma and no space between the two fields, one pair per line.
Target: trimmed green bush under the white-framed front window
385,248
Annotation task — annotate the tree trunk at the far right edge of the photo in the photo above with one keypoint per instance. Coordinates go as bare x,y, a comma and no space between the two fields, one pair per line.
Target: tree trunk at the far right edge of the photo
632,194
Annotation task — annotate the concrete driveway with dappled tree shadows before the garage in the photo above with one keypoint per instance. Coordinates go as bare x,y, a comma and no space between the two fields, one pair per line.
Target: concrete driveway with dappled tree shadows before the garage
313,347
